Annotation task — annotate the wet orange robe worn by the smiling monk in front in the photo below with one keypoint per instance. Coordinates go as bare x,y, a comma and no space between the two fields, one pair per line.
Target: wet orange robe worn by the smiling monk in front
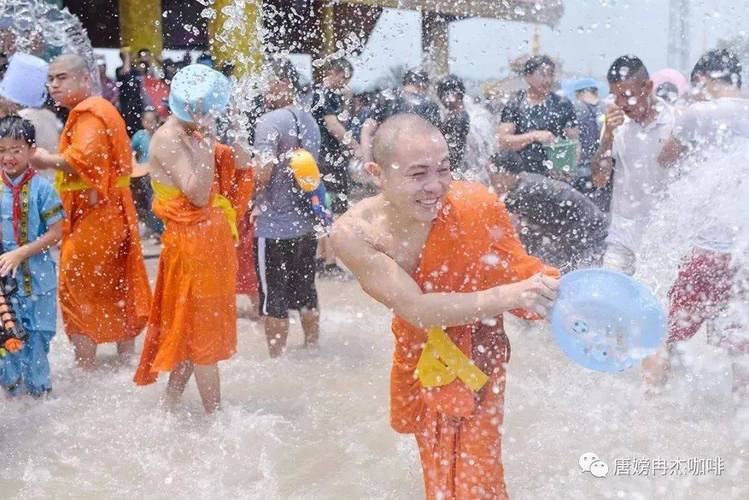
472,246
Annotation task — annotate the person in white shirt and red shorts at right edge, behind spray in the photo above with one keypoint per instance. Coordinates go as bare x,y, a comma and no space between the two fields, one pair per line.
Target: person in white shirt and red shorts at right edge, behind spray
710,283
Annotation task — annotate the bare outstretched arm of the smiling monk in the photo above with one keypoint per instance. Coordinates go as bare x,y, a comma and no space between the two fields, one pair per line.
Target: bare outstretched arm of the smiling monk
385,281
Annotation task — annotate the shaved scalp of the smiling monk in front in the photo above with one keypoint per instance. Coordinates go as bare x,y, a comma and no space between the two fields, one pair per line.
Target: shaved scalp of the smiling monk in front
397,130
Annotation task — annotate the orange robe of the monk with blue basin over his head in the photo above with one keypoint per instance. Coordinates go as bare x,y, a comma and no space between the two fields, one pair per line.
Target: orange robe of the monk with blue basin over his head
194,315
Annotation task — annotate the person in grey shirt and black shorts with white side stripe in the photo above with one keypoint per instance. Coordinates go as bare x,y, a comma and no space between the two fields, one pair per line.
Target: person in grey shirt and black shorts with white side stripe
285,238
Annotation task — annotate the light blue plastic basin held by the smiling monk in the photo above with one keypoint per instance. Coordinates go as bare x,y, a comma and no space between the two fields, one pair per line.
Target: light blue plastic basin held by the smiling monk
605,320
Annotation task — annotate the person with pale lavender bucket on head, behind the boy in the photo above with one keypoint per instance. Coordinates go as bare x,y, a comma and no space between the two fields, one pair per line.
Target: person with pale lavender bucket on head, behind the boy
23,91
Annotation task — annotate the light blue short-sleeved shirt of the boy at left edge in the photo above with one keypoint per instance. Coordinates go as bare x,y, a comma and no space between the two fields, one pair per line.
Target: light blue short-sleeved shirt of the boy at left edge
40,207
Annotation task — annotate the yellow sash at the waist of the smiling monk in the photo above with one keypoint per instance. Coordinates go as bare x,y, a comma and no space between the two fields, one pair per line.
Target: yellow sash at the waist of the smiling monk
442,361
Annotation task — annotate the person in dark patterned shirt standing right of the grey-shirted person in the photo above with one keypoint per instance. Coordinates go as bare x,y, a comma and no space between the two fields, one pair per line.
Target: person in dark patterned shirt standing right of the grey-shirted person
337,146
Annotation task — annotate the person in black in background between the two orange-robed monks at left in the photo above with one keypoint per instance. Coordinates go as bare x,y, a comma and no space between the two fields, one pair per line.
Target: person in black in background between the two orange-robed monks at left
132,95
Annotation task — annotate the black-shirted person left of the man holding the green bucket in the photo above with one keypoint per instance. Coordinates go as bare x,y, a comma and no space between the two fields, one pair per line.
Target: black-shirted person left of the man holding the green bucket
456,122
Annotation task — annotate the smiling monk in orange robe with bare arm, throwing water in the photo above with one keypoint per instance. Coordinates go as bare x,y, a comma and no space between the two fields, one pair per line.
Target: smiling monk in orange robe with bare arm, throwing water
443,256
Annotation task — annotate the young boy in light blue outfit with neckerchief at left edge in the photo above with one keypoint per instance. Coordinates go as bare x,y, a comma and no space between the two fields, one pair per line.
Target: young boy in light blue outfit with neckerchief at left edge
30,223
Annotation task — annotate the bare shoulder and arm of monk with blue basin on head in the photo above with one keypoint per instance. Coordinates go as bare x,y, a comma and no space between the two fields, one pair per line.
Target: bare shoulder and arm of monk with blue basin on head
191,169
